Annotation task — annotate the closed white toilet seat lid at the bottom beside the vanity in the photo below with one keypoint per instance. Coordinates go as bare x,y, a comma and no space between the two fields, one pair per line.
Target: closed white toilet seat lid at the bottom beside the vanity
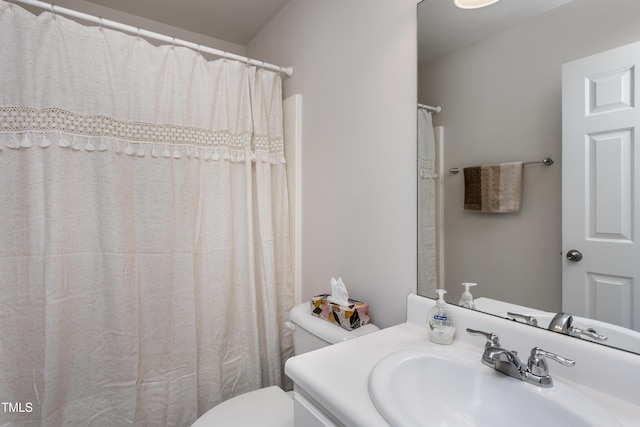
268,407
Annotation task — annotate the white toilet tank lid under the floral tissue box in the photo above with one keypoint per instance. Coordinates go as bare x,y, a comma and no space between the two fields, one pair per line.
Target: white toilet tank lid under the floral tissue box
301,316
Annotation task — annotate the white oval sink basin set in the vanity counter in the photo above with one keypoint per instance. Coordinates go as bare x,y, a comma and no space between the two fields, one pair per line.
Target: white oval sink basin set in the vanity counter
451,388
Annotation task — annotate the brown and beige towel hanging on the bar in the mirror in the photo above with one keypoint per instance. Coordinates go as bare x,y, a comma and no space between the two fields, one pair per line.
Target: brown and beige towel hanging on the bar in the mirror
493,188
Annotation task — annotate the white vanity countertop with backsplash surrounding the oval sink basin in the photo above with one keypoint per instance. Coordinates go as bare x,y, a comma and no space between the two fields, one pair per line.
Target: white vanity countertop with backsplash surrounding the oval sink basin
336,377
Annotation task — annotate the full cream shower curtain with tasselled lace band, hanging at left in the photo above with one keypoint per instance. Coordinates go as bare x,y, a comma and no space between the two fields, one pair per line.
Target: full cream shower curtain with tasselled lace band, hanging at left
144,237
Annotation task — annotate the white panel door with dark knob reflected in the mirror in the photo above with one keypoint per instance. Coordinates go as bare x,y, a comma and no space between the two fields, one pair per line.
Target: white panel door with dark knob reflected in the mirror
601,187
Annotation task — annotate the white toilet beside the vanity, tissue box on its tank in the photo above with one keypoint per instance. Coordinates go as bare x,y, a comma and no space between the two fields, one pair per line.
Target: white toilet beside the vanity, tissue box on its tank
271,406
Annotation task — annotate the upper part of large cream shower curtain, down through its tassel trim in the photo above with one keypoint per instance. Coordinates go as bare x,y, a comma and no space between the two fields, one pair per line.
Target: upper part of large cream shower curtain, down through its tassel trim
94,89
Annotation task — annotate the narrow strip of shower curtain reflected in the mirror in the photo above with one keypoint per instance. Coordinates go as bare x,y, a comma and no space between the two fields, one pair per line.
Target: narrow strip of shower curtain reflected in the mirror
427,272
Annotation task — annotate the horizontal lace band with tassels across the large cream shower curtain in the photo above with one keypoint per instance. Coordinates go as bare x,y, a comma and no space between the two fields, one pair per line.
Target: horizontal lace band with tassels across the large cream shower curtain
30,126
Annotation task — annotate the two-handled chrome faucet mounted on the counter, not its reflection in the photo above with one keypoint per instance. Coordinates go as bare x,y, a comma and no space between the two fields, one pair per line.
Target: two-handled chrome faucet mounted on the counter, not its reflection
507,362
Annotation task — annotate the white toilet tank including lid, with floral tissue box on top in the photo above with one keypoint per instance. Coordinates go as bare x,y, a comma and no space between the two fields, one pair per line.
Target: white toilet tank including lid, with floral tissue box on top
311,333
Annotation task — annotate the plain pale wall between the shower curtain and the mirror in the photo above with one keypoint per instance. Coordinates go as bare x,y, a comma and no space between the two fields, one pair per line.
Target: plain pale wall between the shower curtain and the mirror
355,66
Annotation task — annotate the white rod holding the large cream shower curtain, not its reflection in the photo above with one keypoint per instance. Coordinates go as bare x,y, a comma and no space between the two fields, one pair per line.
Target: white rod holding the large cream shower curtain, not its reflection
288,71
